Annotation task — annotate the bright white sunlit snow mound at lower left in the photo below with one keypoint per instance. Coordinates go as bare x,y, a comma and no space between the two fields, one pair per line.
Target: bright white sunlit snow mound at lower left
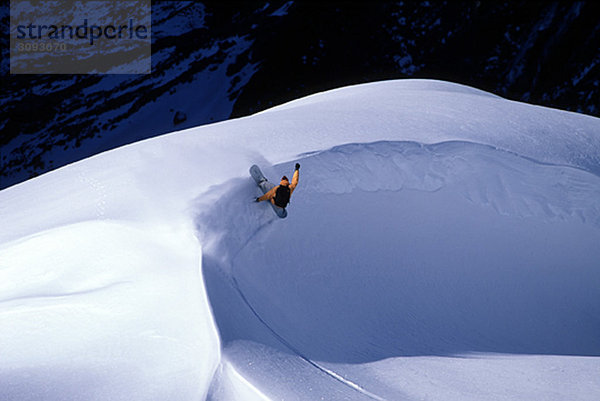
103,310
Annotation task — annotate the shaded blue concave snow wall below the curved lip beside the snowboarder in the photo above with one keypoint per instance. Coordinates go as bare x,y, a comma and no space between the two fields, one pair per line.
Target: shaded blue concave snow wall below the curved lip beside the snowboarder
403,249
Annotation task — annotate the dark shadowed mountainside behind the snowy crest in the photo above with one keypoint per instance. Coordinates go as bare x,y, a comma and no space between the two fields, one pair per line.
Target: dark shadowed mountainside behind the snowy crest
211,62
